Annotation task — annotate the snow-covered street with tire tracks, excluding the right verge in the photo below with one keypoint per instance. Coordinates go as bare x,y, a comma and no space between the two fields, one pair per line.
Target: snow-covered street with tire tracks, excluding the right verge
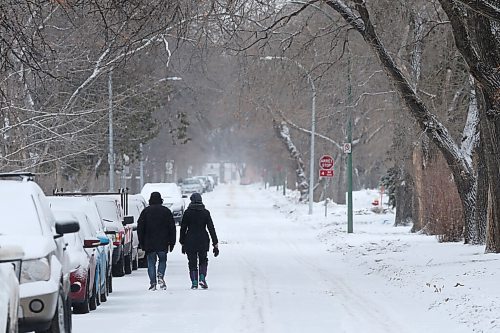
273,275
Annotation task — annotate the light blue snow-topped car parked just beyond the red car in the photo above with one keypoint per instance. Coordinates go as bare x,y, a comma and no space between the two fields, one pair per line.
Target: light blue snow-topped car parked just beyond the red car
86,204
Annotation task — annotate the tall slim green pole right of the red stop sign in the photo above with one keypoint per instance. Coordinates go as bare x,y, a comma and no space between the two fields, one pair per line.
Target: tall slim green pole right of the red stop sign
349,140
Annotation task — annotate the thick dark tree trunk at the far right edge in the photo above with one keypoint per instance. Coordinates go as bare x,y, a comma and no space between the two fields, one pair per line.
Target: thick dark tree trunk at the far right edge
478,40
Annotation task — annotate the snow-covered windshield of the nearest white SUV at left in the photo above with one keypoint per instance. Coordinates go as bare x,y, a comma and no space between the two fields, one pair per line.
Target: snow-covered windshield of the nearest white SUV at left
19,215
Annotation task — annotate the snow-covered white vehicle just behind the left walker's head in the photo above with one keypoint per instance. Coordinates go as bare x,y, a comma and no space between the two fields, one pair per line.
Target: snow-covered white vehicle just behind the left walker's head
172,197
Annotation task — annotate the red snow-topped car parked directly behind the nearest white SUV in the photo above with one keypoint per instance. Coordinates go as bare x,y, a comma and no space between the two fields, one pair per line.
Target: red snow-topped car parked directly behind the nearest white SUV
82,248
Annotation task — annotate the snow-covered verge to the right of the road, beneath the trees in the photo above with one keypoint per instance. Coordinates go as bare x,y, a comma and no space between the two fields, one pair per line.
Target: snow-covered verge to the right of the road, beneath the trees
450,281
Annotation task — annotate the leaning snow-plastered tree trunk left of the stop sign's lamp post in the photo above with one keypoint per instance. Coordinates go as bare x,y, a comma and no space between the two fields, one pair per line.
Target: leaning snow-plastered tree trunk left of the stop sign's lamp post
284,134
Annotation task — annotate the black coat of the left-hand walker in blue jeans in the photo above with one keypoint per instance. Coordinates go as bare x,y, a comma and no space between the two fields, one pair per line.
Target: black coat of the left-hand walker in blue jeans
156,228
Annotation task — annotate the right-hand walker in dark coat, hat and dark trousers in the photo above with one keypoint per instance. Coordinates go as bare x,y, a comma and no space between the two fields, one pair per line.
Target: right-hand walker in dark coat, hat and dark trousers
195,242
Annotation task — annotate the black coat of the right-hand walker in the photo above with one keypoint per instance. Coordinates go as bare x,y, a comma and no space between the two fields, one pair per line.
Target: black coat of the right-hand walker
195,222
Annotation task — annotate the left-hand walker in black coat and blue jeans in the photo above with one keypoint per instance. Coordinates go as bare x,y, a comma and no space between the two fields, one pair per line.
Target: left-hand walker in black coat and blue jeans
156,232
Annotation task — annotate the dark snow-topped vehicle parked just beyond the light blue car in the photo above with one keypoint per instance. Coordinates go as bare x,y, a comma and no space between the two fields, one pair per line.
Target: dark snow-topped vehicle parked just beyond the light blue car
111,211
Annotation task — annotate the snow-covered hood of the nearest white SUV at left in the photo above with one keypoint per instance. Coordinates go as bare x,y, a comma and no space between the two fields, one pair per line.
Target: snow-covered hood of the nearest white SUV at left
34,247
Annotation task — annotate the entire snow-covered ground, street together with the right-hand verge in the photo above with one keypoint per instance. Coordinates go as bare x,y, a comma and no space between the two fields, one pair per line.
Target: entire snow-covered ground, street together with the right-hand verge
282,270
